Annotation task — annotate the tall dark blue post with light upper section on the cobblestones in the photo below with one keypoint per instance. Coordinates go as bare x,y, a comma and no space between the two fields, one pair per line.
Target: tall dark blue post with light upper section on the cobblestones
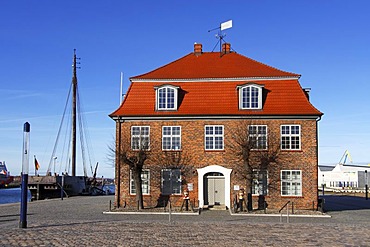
25,169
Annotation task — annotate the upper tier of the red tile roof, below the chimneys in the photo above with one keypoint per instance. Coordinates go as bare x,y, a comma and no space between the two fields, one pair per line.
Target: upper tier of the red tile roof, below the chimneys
212,65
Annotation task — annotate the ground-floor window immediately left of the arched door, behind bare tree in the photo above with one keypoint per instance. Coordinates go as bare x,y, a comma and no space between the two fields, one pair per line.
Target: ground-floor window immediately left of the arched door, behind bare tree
171,182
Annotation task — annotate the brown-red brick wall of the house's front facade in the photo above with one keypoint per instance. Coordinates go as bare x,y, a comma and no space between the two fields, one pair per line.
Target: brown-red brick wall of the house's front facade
192,140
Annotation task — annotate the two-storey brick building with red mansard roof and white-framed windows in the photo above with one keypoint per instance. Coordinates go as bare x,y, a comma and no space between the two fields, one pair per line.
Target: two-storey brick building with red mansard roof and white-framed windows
215,123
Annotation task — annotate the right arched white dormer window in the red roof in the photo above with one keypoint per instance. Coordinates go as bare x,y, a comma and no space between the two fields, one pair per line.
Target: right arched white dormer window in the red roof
250,96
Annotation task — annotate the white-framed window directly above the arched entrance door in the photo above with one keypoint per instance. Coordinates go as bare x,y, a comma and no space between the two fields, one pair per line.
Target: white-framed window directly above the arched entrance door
214,137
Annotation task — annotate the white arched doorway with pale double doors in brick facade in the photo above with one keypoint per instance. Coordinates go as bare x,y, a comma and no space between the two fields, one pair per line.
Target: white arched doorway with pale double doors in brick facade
214,186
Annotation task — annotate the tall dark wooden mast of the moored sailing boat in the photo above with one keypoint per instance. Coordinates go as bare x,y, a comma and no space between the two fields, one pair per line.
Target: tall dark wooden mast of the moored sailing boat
74,110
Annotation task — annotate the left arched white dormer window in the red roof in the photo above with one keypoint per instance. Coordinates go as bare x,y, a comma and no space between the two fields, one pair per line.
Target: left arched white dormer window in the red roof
166,97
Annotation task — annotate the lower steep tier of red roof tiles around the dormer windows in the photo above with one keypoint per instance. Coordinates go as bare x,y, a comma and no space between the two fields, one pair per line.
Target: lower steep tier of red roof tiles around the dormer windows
284,97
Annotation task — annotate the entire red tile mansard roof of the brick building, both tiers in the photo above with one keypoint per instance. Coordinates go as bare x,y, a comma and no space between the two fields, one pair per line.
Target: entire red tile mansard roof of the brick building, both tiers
216,97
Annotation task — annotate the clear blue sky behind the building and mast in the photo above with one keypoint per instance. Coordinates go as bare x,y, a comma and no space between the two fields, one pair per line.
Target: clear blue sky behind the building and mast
327,42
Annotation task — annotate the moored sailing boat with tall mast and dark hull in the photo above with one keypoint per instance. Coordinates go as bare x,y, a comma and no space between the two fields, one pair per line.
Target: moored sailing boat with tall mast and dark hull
53,184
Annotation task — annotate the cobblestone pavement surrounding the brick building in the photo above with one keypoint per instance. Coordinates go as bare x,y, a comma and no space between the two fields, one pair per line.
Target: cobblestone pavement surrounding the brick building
79,221
